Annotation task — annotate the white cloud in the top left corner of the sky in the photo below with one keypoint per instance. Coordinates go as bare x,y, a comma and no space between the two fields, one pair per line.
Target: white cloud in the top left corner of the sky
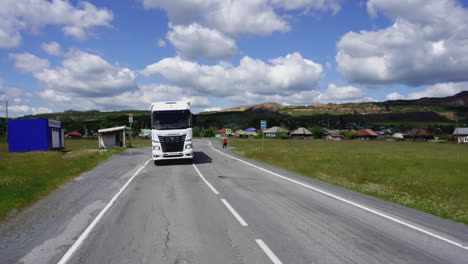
32,15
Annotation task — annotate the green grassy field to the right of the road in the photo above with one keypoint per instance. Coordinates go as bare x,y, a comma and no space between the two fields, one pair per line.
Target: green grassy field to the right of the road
426,176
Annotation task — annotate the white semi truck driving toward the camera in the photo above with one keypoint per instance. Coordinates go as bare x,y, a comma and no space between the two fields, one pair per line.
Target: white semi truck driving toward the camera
171,133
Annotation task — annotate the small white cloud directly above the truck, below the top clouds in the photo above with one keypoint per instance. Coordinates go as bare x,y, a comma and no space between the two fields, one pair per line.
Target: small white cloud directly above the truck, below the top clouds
194,41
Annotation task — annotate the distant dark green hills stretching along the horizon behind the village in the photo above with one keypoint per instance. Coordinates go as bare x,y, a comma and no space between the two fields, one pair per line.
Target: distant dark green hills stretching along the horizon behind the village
435,113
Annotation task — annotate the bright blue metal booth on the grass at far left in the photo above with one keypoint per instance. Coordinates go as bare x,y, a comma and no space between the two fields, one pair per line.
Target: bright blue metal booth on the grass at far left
35,134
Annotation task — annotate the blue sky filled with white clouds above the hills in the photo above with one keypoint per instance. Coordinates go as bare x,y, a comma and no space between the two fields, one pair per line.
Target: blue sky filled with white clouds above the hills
112,55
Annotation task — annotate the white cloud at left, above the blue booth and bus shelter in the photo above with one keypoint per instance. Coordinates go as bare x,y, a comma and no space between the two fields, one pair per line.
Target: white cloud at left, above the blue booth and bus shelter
87,75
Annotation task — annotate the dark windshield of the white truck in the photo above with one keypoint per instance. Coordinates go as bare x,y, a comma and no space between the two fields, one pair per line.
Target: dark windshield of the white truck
163,120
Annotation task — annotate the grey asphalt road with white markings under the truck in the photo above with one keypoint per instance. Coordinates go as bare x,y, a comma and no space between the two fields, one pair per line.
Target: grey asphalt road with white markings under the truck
221,210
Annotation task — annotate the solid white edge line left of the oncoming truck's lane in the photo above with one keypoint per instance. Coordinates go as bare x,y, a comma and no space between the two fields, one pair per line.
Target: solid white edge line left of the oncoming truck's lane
88,230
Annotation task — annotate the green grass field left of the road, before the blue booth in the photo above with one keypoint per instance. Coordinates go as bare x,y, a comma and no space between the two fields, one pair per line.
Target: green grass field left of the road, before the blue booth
26,177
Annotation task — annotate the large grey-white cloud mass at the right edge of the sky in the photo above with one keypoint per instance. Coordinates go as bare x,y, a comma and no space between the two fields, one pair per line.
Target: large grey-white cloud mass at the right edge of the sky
426,44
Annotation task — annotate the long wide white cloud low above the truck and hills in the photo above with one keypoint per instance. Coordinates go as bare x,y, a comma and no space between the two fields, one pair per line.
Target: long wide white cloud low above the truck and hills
283,75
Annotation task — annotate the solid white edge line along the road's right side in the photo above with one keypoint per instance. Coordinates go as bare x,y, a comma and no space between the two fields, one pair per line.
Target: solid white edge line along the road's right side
460,245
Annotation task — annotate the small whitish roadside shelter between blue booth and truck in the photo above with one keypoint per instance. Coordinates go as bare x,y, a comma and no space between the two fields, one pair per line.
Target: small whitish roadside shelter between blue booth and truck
114,137
